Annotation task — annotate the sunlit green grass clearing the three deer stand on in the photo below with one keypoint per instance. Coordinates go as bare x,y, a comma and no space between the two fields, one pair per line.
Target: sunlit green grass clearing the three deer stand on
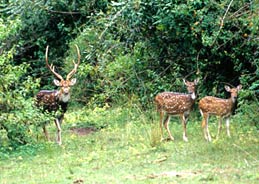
126,149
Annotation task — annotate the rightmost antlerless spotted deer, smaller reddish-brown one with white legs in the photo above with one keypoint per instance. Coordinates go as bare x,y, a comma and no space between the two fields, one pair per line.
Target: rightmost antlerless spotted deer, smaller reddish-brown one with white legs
223,108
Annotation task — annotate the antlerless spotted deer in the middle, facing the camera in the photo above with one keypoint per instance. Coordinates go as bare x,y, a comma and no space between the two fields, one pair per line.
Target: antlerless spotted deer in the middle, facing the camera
172,103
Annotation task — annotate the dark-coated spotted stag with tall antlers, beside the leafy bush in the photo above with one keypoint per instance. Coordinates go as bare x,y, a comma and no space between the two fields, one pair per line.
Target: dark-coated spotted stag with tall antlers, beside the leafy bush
54,100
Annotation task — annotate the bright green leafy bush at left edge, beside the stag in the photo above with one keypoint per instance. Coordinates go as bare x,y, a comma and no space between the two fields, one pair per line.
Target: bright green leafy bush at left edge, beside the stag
18,116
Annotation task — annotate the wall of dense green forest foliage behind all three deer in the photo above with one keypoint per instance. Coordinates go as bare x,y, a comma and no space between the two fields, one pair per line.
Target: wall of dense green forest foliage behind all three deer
138,48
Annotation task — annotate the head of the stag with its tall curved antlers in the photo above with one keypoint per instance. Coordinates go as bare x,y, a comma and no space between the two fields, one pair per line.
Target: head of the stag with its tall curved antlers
64,84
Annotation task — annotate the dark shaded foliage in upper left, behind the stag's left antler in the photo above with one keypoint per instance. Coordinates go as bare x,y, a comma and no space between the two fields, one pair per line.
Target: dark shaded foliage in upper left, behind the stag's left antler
46,23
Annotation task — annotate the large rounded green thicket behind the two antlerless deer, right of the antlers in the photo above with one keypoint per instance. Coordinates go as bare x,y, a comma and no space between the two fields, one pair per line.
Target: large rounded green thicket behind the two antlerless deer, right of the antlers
146,47
